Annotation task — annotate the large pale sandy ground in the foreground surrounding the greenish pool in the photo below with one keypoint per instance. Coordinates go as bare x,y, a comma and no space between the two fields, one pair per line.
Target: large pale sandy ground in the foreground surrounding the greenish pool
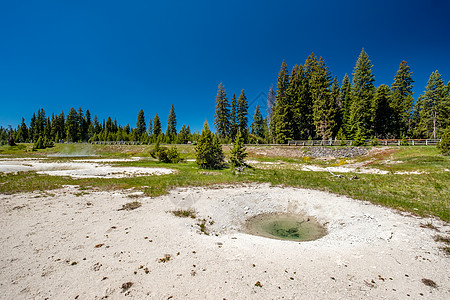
66,246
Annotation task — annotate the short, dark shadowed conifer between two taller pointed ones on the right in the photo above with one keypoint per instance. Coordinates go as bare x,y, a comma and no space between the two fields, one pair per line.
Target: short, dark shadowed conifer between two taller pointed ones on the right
382,117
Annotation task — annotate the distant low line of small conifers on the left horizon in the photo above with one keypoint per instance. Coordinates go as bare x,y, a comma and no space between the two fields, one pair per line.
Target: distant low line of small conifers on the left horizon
79,126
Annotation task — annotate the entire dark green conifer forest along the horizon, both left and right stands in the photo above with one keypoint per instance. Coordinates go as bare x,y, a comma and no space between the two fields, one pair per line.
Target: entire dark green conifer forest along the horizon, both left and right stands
307,103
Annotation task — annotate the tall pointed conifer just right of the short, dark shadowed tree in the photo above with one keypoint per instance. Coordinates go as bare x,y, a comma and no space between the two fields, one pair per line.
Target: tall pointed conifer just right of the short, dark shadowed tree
402,99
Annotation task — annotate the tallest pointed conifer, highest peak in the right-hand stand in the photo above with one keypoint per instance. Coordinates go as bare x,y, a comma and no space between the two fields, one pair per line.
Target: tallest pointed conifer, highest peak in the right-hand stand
363,91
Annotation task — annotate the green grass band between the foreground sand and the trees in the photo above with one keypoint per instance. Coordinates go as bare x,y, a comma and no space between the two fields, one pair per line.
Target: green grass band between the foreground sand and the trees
424,194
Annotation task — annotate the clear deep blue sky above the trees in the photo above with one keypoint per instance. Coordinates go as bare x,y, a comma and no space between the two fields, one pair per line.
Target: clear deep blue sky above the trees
116,57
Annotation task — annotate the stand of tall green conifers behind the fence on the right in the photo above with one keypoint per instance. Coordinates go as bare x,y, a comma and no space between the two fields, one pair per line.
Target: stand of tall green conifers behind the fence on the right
309,103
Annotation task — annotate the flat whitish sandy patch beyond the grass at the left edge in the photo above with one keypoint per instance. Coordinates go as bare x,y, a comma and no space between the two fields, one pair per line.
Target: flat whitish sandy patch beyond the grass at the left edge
88,168
